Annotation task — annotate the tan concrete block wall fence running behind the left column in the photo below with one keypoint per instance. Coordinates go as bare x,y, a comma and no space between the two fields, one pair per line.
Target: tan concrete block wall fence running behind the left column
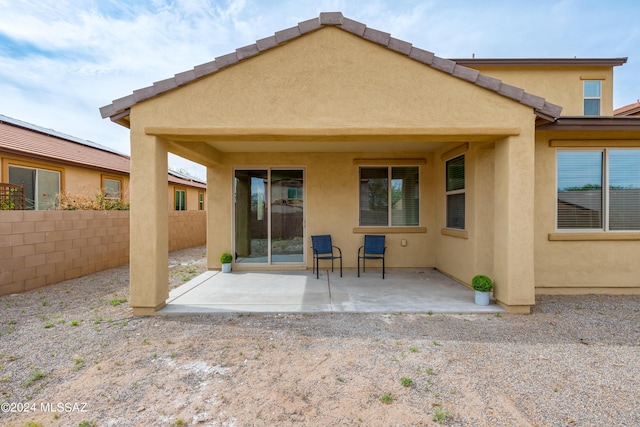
39,248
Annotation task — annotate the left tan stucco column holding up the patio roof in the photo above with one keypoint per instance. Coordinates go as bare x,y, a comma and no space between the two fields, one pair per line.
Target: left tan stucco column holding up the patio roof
149,287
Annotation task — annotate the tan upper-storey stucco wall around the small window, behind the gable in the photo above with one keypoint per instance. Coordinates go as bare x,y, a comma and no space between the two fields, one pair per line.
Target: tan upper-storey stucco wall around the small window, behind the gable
559,85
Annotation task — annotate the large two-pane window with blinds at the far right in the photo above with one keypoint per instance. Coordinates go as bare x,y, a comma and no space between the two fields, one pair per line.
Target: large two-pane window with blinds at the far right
599,190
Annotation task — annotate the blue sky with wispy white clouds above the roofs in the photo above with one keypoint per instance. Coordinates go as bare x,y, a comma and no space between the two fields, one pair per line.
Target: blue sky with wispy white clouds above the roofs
61,60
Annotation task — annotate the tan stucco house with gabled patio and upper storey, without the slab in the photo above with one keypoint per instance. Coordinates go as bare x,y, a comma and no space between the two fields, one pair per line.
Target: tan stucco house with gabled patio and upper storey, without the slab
515,168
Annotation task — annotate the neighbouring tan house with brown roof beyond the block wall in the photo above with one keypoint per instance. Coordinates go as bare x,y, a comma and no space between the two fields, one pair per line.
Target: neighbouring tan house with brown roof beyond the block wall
48,163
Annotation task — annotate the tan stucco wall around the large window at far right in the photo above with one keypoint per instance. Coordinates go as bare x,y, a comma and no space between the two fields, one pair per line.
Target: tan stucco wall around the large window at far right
578,263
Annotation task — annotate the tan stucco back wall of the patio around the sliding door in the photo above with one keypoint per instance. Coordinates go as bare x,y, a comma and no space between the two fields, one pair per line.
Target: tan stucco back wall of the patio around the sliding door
331,206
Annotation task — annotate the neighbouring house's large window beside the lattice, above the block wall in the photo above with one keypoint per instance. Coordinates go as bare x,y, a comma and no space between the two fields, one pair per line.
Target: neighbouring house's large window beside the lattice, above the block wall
41,186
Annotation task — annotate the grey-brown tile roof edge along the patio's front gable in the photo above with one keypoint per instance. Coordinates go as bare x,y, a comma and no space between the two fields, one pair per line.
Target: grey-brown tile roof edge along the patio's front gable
119,107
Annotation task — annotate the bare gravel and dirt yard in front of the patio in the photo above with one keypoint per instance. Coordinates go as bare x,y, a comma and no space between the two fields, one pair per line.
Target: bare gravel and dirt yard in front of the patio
73,354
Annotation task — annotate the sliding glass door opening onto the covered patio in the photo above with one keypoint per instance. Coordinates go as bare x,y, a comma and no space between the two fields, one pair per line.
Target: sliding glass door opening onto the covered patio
269,216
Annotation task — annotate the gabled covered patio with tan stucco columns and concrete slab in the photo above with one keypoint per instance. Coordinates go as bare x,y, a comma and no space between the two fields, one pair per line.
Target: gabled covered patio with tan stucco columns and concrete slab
333,128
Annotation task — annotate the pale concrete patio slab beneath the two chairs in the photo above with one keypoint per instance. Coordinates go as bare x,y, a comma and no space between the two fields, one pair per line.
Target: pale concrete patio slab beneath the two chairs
402,291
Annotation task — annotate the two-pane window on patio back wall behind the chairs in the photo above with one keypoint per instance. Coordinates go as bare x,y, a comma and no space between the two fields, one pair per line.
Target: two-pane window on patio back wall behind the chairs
389,196
